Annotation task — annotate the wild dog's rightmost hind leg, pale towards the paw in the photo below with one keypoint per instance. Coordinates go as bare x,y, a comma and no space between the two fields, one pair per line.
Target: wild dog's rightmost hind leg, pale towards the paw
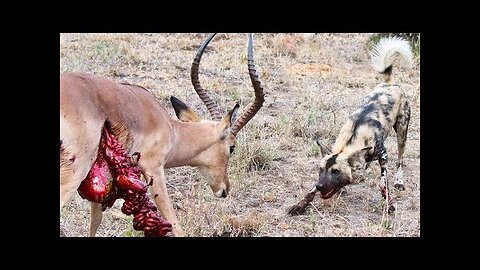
401,128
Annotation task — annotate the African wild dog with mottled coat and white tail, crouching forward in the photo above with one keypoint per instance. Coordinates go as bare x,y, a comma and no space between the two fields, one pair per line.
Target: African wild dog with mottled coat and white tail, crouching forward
361,139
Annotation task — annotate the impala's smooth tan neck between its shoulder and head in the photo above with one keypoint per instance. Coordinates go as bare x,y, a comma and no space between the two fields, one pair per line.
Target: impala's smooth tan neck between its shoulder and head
190,139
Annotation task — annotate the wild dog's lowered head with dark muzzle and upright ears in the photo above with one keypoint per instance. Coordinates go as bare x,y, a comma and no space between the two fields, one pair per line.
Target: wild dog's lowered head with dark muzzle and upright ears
337,170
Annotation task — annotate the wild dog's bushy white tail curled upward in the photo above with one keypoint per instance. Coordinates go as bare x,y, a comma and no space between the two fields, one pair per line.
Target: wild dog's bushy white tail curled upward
386,51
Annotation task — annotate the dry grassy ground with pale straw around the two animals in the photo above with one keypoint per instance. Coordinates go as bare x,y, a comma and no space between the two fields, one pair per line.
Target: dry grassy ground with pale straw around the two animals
312,83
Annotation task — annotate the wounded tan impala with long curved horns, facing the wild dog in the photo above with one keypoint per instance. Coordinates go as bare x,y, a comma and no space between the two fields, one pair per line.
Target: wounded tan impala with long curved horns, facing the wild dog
144,126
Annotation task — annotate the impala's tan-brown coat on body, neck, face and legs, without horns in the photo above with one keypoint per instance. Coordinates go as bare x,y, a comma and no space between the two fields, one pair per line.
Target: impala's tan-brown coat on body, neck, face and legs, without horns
86,101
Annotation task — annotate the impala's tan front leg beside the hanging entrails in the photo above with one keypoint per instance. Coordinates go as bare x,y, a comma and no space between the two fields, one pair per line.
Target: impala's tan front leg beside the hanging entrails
162,200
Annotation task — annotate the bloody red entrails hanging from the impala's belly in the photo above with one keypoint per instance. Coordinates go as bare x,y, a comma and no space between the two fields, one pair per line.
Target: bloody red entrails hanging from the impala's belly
126,185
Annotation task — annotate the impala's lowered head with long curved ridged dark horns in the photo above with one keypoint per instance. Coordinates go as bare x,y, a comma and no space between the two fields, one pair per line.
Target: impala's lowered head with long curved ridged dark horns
220,133
